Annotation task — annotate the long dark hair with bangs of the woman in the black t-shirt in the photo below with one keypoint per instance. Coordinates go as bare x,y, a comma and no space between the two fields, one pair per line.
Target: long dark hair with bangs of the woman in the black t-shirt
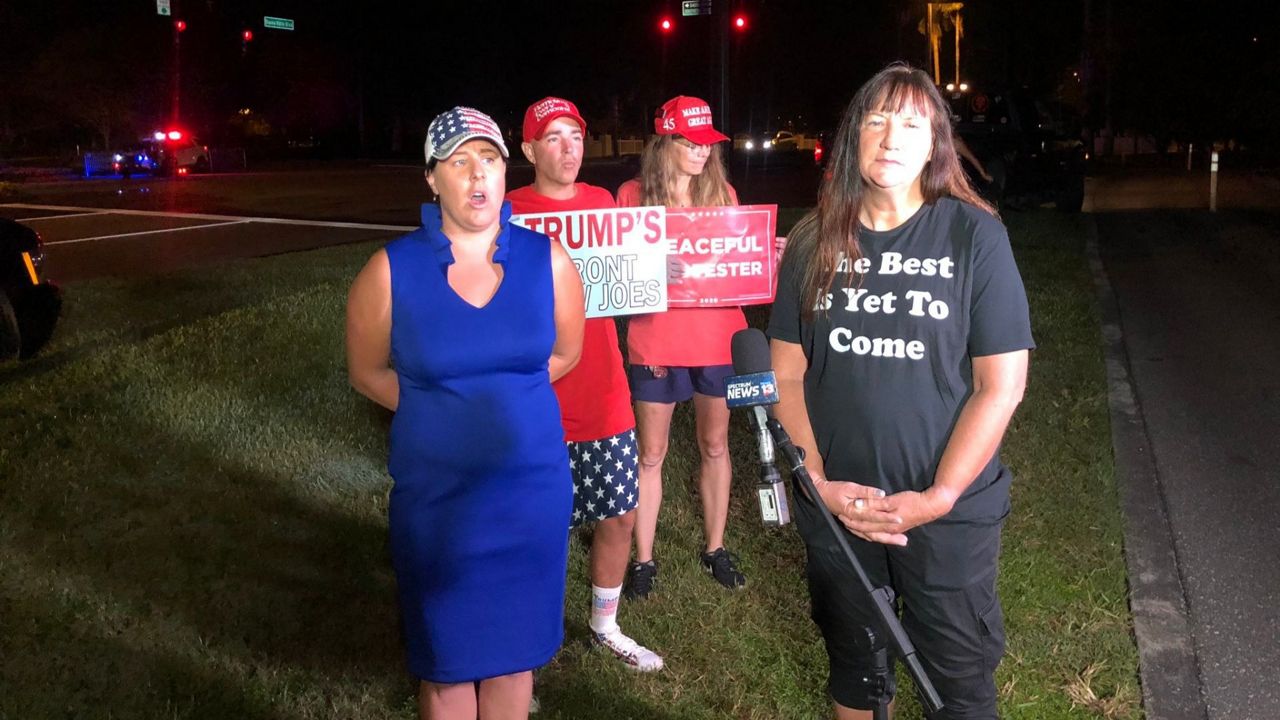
830,233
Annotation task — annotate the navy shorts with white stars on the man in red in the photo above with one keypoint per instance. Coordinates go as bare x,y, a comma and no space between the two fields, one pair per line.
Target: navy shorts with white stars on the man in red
605,477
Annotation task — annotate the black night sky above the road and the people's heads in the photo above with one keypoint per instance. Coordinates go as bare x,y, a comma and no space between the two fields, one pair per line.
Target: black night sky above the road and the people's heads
367,78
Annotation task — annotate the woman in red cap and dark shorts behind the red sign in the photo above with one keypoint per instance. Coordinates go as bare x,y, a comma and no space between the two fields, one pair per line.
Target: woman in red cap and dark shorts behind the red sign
684,353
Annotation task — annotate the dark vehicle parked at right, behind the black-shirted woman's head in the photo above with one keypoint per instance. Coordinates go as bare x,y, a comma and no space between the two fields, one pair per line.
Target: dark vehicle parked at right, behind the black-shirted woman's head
1031,152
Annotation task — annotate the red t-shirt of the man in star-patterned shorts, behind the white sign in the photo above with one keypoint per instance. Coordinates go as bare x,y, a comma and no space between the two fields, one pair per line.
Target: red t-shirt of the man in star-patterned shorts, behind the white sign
595,397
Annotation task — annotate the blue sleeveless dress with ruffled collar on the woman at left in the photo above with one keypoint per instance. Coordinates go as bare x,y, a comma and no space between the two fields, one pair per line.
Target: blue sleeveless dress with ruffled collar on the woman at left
483,494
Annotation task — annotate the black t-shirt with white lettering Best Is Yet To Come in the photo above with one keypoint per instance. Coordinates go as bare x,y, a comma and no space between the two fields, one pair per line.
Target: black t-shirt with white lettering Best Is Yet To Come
892,359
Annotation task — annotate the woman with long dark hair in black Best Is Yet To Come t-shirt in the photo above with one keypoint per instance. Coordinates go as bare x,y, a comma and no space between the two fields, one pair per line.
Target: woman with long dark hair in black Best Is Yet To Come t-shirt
900,340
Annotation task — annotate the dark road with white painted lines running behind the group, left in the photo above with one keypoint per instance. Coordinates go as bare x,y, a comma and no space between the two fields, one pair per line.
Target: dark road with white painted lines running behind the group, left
117,227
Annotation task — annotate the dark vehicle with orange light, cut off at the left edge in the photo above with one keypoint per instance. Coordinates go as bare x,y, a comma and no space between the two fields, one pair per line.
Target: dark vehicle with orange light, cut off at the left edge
30,304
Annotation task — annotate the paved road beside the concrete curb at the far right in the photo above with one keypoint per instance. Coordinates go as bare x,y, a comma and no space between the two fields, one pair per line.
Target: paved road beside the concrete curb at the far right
1201,327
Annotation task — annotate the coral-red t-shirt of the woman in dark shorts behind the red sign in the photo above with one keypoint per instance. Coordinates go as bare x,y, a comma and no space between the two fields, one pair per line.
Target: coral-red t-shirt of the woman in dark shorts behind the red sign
682,338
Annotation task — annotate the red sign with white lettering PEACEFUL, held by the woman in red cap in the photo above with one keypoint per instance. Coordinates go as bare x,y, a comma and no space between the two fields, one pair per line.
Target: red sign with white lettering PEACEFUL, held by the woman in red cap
724,256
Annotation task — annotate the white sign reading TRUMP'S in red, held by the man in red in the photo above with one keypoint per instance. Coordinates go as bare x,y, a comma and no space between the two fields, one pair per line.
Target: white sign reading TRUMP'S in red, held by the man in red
620,254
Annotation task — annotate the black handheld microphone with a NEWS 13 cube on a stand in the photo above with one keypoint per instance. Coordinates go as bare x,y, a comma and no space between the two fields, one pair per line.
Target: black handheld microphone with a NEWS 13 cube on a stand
755,386
